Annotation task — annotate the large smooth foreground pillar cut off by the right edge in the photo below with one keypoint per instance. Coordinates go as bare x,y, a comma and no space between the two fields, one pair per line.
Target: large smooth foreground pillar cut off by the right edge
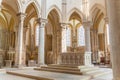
114,23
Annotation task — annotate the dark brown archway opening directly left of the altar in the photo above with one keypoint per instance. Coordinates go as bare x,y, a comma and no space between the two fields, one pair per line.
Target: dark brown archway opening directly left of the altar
53,33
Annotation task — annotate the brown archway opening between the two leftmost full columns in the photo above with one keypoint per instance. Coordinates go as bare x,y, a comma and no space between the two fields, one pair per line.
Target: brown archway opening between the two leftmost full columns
31,35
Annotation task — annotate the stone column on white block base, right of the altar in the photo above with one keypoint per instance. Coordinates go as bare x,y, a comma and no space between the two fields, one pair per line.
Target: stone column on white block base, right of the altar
87,58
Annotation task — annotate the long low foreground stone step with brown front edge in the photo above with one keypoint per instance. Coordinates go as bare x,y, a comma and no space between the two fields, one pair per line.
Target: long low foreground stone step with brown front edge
46,75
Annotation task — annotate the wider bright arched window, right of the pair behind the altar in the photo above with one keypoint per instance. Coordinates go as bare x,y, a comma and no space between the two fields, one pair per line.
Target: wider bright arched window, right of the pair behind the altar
81,36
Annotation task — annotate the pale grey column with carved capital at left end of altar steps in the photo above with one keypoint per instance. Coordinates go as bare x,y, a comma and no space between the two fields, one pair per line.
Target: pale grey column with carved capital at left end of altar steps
41,49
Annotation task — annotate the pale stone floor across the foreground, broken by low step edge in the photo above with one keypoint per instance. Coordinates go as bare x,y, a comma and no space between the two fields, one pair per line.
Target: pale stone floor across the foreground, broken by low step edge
51,75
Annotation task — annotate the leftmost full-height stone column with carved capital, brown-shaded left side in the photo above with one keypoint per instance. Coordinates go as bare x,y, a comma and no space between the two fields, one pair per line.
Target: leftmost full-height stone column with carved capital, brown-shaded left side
20,59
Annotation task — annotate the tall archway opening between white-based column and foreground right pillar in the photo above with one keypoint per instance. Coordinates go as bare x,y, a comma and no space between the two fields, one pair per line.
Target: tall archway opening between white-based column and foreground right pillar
100,48
